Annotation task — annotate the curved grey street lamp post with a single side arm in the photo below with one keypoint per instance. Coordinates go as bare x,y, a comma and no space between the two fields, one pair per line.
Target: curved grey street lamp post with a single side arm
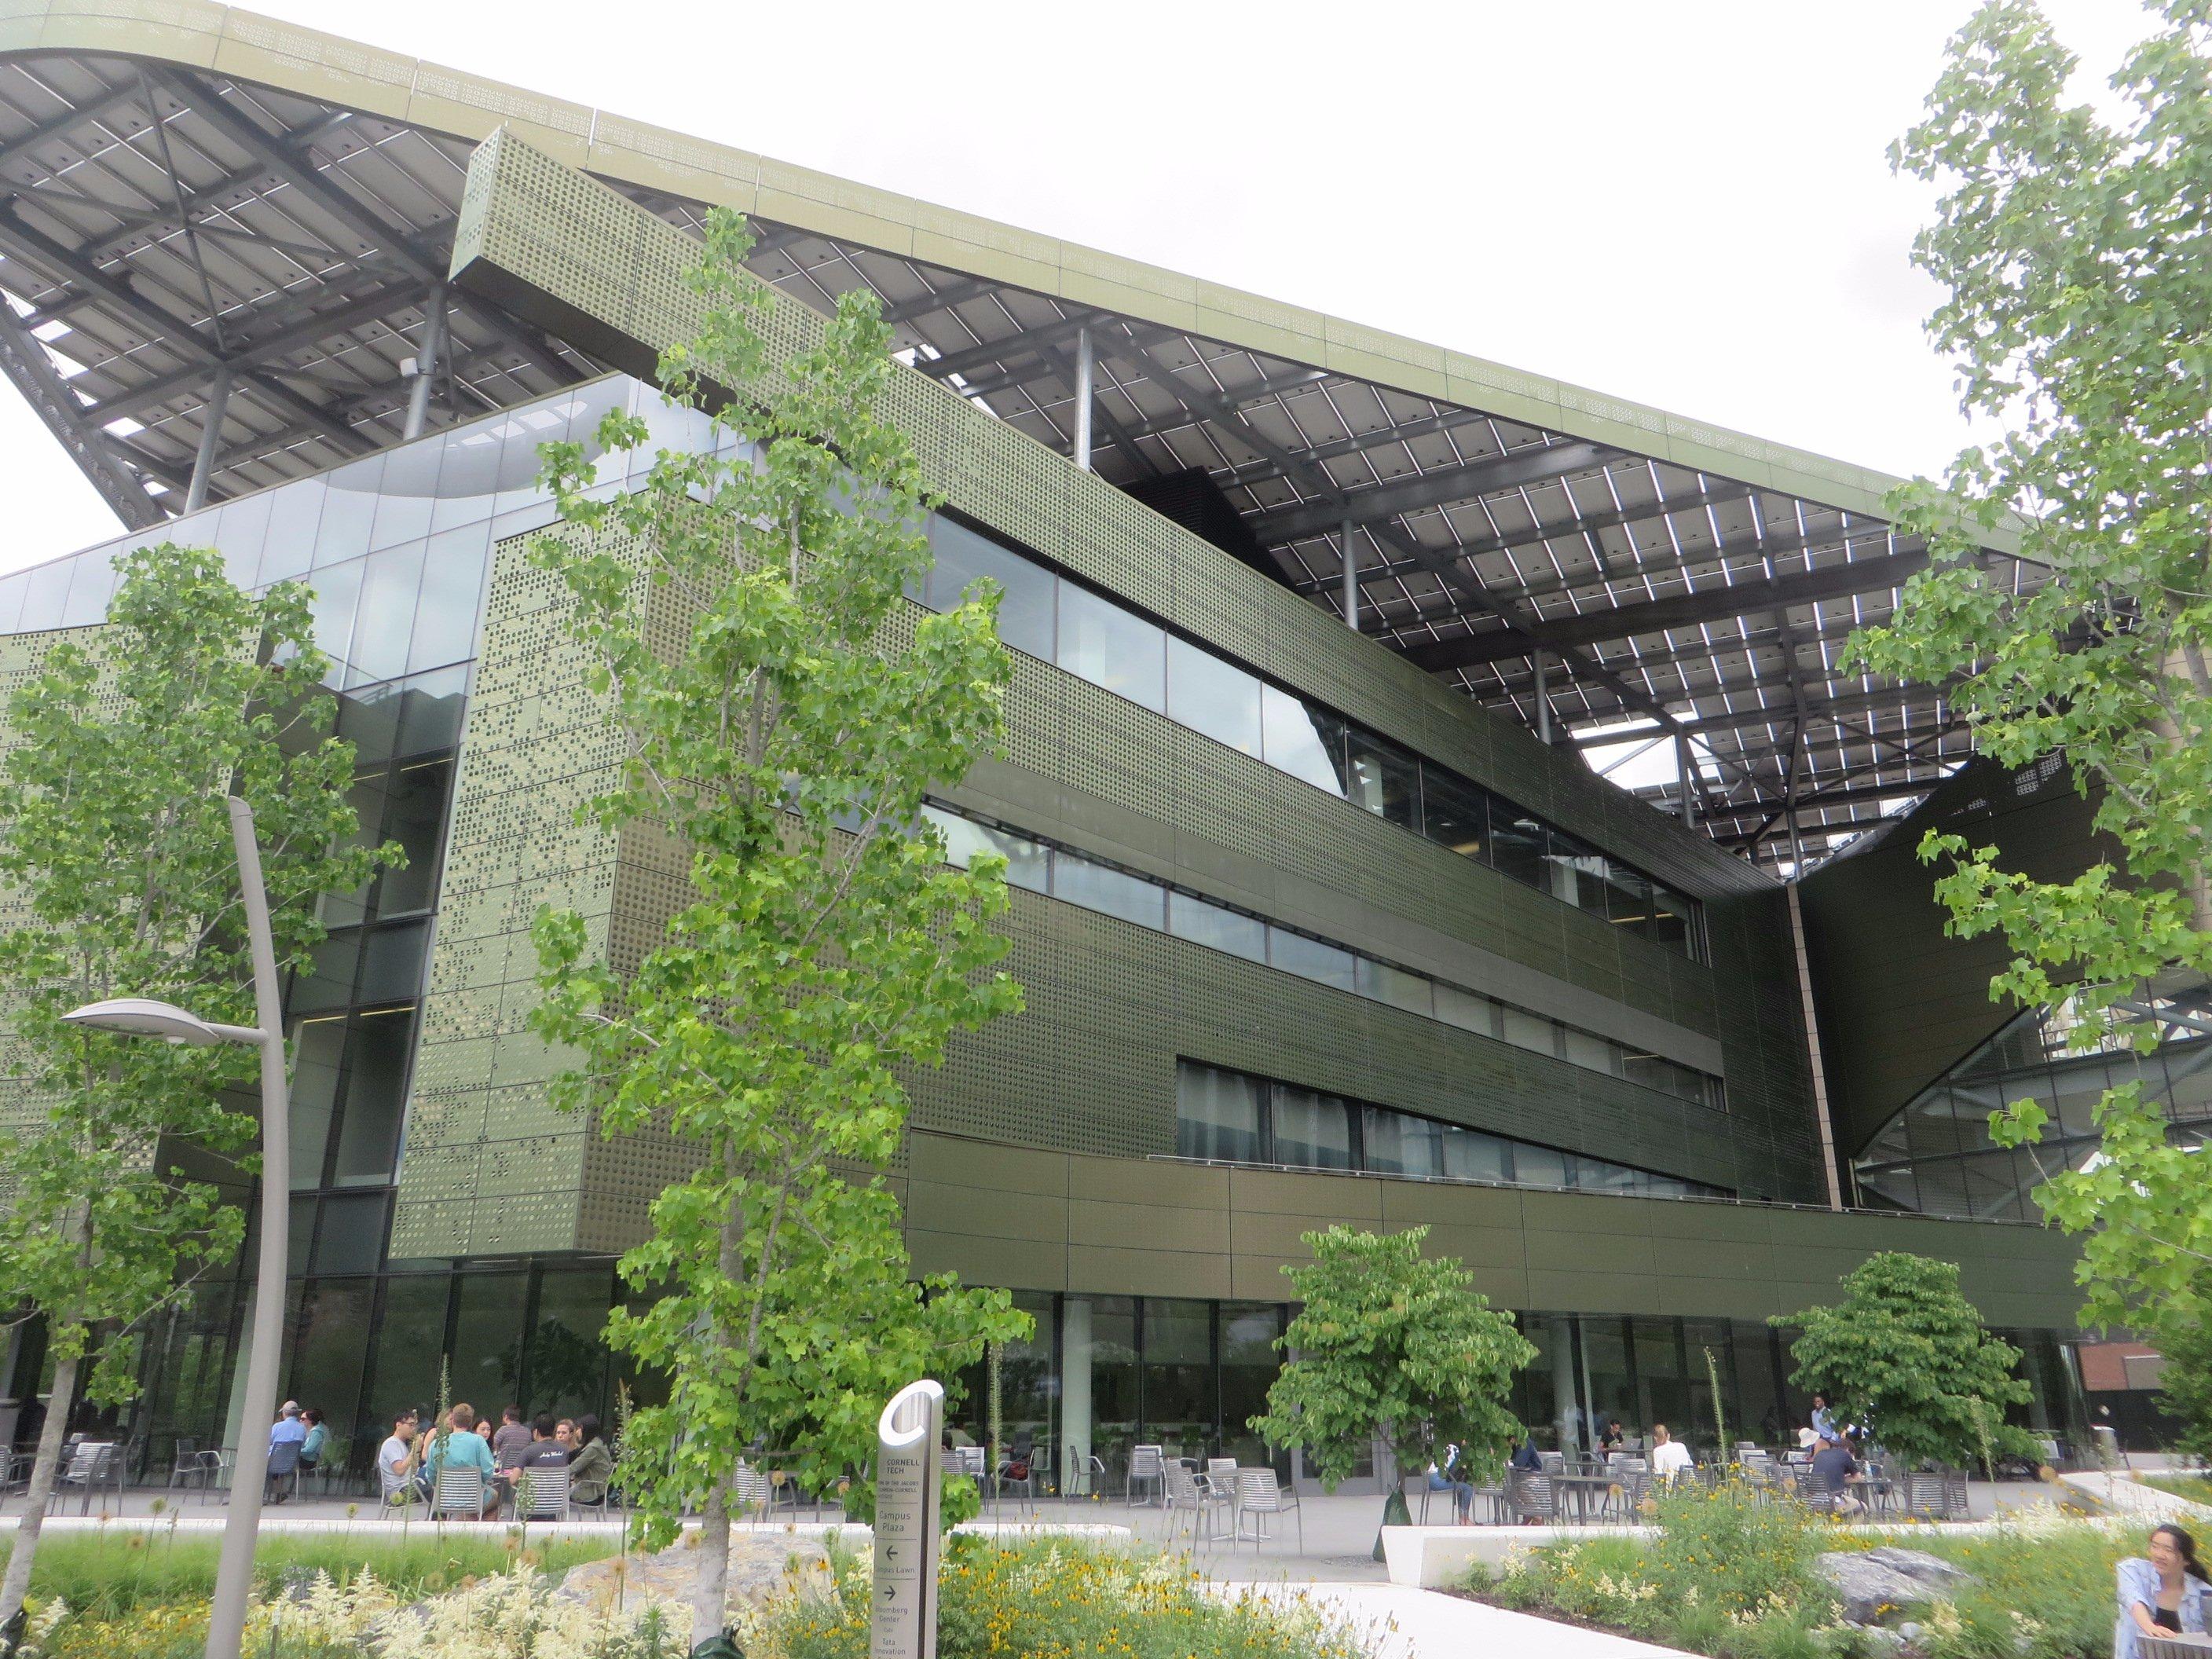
149,1019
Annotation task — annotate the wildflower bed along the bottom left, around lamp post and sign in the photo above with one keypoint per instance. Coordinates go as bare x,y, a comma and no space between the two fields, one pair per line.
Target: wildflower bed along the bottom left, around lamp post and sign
488,1598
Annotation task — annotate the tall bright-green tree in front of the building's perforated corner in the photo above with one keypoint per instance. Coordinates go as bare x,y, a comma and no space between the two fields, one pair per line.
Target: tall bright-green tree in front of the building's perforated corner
784,718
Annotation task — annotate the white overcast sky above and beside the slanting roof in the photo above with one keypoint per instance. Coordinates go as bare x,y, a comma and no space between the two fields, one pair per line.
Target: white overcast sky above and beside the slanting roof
1687,205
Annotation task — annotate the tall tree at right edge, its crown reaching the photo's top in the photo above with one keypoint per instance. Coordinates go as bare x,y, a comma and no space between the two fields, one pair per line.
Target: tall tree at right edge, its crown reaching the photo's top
2078,295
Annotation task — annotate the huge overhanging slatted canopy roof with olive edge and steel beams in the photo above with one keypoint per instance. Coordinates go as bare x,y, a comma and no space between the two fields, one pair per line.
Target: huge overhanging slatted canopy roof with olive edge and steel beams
198,191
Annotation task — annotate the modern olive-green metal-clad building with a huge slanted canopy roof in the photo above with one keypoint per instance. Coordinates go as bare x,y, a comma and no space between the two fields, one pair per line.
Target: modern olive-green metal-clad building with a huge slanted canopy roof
1317,921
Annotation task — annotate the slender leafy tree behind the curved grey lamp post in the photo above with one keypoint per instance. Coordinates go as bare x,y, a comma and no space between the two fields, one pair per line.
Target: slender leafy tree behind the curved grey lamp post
118,864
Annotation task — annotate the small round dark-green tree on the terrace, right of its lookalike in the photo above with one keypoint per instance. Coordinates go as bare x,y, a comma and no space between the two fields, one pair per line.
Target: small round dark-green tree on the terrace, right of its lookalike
1908,1355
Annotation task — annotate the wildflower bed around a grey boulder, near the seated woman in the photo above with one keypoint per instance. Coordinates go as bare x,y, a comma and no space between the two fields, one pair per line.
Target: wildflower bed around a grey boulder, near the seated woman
1733,1578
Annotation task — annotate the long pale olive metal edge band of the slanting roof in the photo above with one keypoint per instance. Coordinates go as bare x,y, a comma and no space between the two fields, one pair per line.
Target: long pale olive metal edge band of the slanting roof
309,63
